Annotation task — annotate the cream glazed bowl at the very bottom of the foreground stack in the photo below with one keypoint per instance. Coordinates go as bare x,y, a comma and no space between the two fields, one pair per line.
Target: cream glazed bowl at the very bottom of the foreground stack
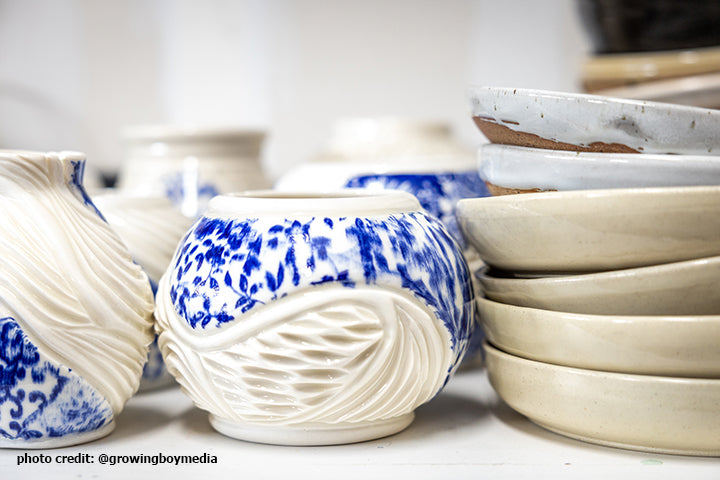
640,412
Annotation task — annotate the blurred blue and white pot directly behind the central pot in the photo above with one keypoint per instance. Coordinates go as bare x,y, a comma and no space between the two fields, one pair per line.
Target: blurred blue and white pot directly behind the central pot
420,158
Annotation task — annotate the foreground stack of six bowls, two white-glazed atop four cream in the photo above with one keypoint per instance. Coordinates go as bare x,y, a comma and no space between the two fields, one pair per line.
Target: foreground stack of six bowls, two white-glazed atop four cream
599,300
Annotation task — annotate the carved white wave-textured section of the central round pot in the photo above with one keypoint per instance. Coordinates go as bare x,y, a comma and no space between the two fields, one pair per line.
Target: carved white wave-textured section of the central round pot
329,355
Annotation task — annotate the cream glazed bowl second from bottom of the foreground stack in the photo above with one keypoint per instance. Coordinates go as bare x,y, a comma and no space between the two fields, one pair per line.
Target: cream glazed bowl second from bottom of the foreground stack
679,346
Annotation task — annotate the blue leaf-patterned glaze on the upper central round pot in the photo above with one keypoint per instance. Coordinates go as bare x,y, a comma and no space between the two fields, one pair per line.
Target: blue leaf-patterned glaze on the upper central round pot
226,267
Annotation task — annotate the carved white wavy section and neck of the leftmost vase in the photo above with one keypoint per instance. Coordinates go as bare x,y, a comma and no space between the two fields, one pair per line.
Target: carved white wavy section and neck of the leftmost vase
68,280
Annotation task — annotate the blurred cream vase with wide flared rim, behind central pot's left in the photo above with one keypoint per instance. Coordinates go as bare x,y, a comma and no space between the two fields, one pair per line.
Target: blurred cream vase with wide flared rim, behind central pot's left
191,165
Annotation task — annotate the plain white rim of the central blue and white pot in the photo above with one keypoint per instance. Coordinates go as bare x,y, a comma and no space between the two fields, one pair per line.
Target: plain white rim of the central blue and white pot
346,202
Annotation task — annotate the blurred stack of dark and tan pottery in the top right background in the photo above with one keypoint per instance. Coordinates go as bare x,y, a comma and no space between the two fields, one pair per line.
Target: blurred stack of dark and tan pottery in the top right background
665,50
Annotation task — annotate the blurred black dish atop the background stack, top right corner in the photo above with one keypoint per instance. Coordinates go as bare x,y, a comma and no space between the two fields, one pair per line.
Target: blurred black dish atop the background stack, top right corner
623,26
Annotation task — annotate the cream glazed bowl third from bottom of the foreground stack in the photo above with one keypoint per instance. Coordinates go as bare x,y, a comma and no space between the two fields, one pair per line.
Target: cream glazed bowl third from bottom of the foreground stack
681,288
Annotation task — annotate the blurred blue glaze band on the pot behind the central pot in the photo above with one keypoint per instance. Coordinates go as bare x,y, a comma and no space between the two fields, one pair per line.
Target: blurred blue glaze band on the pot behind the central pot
438,193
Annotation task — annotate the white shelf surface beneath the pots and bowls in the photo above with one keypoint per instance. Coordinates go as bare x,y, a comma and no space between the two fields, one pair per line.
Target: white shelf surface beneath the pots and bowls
465,432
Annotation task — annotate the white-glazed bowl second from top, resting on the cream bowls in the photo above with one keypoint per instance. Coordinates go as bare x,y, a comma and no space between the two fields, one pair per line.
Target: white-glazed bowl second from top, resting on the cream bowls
511,169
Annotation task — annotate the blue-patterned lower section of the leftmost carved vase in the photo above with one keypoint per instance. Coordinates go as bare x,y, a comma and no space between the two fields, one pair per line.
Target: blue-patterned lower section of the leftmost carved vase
39,399
